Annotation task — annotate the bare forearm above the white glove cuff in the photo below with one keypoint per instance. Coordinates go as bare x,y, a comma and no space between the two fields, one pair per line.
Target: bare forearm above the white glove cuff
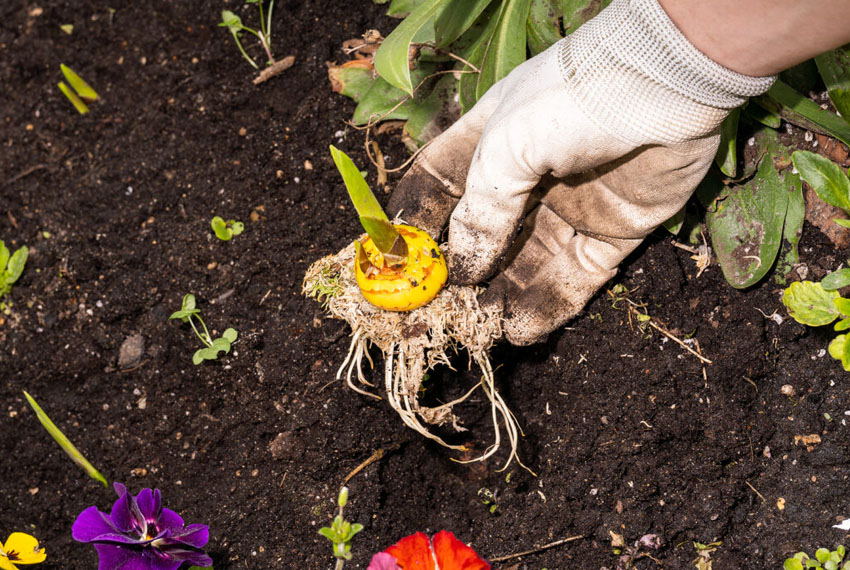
761,37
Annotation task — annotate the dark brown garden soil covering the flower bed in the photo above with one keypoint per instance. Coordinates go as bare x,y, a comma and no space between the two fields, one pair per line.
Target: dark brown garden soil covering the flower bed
627,432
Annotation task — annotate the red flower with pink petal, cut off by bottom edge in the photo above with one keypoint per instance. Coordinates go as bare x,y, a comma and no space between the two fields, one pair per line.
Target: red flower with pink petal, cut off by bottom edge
416,552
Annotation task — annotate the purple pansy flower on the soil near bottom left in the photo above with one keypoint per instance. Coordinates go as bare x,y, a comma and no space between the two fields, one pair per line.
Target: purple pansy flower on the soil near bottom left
138,534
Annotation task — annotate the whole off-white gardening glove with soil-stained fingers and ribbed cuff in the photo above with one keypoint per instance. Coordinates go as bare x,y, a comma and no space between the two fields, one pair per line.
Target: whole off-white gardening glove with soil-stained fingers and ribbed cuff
615,125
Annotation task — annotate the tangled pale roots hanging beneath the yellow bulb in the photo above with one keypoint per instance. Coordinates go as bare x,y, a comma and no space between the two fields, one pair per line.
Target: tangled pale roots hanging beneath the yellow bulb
414,342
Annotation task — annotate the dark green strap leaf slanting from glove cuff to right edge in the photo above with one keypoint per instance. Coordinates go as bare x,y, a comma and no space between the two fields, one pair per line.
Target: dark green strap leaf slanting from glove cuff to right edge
801,111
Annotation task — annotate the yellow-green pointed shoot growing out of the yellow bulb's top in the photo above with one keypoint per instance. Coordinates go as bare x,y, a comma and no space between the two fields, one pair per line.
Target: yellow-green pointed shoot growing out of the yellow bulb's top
372,216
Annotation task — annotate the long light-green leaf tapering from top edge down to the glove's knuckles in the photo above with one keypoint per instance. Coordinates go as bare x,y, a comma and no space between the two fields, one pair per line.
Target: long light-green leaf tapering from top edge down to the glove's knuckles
506,48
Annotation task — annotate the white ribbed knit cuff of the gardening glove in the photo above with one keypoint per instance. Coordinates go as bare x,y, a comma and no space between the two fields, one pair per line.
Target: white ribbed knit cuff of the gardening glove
639,78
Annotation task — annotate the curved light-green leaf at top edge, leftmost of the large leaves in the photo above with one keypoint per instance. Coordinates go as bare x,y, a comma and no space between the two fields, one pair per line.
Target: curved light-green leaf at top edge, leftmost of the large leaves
392,58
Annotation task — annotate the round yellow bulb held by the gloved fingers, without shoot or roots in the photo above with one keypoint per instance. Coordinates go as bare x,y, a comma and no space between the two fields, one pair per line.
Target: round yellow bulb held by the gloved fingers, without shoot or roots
402,288
